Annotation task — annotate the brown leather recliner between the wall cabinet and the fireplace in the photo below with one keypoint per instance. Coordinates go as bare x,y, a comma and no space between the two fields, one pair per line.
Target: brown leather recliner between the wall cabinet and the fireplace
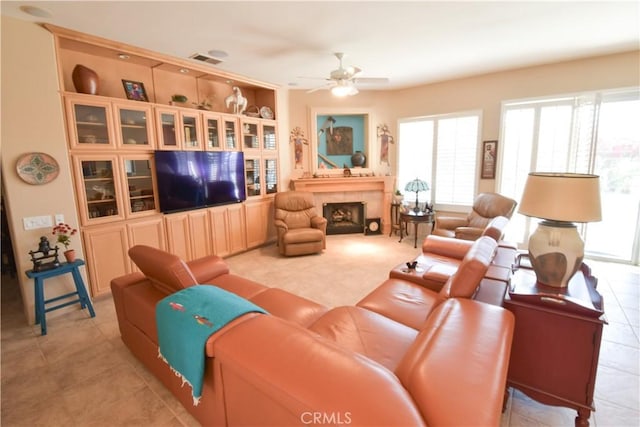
301,230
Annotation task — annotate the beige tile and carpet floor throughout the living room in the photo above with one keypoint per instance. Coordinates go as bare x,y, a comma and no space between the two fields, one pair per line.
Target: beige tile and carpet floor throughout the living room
81,373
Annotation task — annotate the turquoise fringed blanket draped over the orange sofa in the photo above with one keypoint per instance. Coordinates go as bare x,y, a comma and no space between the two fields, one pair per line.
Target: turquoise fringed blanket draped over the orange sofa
186,319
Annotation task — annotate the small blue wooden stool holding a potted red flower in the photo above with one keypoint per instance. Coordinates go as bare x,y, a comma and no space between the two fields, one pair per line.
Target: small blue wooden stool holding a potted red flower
81,291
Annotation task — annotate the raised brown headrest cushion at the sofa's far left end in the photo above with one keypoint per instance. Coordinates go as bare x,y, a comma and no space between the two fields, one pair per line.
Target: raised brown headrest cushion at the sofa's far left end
167,272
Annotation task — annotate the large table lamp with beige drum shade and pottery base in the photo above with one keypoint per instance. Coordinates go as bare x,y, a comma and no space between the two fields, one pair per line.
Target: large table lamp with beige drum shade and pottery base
559,199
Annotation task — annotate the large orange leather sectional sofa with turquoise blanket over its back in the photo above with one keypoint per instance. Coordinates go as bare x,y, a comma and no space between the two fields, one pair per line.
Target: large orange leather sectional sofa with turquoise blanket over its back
306,364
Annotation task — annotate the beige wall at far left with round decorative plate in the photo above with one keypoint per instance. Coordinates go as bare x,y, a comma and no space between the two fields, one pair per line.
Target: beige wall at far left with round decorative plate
32,121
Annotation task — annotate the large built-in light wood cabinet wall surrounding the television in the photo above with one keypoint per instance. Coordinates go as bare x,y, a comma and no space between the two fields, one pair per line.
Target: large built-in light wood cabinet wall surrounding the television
112,141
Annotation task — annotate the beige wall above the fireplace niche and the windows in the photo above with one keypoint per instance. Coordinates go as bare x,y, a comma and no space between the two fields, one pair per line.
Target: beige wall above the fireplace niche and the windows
485,92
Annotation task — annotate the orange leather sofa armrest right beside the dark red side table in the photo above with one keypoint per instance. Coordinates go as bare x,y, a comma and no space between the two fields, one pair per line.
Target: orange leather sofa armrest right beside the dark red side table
457,368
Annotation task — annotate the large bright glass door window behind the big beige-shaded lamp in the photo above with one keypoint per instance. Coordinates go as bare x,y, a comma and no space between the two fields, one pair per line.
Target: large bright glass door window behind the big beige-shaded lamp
587,133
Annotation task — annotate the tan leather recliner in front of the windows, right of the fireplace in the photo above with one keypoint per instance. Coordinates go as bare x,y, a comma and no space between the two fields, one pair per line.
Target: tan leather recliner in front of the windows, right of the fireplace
486,206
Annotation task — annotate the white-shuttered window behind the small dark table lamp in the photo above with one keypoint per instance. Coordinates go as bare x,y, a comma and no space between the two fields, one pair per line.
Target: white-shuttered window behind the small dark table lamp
441,150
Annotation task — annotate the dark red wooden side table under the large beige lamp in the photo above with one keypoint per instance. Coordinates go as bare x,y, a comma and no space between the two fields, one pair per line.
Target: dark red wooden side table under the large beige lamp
556,341
